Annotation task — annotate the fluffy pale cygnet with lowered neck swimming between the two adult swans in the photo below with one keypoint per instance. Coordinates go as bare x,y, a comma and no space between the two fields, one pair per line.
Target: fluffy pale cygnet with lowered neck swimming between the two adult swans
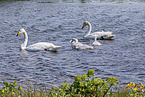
77,45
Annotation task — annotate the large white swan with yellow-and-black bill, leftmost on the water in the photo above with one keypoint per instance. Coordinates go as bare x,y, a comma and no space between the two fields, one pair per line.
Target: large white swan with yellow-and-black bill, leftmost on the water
37,46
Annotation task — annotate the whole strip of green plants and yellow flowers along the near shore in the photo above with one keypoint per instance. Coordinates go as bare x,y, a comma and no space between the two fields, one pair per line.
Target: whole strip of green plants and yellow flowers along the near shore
83,86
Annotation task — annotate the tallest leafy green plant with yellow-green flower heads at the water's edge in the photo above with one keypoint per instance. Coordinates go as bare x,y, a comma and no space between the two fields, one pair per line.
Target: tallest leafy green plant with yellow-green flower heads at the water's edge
87,86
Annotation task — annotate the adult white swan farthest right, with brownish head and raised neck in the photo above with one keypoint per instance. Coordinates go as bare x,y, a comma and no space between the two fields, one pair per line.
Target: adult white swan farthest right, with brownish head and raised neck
100,35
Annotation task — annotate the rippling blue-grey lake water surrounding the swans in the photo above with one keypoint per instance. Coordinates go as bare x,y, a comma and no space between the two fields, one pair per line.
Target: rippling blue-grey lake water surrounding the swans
123,57
